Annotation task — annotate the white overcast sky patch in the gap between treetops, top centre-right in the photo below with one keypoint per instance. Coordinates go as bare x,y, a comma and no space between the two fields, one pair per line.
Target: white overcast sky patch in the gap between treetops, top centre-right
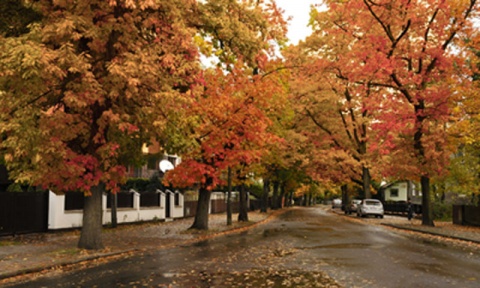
299,10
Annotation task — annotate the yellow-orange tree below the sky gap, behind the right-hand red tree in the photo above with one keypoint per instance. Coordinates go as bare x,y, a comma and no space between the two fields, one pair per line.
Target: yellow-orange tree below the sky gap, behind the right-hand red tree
330,113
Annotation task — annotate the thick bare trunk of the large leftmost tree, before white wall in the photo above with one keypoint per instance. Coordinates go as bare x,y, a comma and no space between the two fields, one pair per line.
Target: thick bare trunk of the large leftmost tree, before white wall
91,233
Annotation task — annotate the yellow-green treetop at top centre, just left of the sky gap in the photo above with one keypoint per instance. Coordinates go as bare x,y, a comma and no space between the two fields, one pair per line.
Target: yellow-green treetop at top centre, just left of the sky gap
229,30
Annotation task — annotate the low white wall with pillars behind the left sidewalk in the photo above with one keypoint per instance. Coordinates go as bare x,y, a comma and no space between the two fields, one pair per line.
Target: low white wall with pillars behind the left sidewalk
171,207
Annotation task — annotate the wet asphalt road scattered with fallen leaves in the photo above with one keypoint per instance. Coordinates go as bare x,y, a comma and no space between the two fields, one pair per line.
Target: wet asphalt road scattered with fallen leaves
305,247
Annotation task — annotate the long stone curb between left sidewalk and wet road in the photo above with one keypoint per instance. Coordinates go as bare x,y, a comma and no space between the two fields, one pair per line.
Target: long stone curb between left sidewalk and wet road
41,268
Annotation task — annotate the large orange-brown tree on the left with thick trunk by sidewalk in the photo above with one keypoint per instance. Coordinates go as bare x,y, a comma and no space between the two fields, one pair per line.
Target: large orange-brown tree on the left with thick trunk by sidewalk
85,87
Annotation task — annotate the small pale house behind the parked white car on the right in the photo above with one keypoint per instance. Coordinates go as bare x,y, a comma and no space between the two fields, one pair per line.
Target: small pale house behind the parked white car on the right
401,191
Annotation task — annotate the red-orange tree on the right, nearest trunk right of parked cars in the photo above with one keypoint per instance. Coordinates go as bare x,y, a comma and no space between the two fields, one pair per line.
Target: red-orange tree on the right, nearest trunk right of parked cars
408,48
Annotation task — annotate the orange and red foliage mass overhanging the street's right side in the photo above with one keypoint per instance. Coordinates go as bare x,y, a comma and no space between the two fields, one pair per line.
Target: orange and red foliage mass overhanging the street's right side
389,70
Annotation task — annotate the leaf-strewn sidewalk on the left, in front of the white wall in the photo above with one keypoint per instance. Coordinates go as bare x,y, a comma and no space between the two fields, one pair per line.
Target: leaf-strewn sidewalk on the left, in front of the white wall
34,253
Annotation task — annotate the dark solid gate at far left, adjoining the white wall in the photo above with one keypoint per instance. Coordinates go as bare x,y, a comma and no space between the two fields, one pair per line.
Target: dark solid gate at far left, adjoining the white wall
23,212
